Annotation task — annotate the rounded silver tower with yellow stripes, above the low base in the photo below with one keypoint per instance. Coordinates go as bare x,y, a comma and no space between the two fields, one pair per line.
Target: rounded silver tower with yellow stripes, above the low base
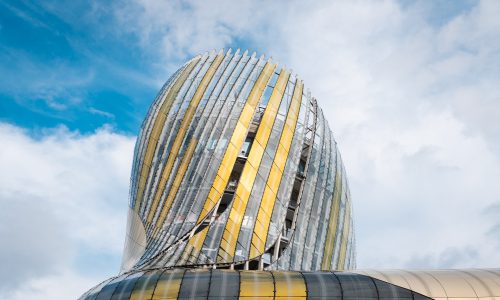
236,166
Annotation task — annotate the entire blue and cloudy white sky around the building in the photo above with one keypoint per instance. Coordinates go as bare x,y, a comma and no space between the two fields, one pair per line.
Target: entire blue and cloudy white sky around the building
410,89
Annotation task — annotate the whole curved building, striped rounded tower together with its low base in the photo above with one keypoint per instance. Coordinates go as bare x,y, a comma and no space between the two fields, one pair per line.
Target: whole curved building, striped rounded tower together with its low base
238,190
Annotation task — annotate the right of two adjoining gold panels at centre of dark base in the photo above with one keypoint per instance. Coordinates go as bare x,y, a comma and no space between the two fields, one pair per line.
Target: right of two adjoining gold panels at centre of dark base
289,284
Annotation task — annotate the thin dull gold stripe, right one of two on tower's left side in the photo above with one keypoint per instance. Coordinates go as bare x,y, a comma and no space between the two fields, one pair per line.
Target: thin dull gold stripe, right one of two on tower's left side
186,121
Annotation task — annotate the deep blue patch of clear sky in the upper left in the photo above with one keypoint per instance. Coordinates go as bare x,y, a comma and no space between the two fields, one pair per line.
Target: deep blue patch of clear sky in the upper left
65,67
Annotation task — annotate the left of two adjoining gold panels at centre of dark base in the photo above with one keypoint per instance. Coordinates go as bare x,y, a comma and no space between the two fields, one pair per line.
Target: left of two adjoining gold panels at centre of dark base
256,284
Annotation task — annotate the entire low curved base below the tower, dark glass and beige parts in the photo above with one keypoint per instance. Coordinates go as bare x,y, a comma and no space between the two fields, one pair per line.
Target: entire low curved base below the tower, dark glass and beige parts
370,284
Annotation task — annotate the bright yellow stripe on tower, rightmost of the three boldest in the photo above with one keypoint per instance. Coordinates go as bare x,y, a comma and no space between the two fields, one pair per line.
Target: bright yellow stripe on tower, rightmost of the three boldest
275,175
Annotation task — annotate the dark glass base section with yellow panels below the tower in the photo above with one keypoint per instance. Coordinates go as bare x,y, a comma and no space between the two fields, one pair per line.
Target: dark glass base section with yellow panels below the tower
233,284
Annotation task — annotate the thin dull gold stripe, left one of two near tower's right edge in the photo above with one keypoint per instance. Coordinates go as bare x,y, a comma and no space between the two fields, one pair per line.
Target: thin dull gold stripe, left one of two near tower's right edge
332,223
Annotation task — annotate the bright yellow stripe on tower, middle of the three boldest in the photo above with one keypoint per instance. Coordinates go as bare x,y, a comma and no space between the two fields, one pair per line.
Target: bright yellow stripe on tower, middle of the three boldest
247,178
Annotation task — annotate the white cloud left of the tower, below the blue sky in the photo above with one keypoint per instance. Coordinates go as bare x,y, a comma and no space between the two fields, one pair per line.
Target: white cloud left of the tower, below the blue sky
63,197
